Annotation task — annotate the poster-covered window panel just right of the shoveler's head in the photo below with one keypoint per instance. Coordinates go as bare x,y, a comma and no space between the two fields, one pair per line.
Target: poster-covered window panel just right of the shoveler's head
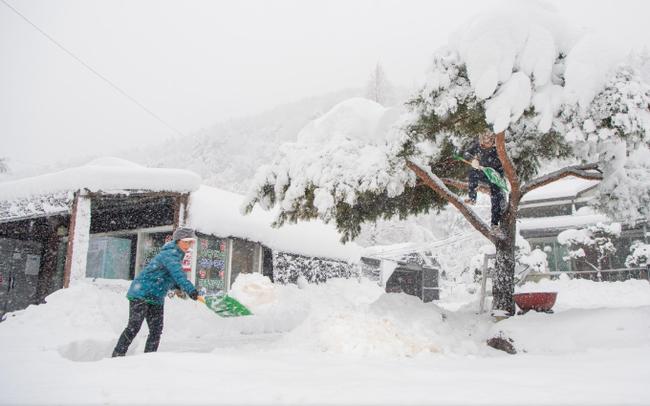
211,266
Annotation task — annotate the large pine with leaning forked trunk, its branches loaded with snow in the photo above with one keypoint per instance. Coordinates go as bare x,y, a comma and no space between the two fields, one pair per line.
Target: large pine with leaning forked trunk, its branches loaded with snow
515,73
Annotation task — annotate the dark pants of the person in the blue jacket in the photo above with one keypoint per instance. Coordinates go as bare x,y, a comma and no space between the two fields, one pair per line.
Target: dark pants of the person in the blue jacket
139,310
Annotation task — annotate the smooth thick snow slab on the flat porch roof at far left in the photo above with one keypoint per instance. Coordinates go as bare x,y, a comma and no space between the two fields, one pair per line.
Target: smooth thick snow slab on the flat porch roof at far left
105,174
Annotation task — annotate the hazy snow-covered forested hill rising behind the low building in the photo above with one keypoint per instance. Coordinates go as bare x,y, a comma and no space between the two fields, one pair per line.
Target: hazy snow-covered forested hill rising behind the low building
227,154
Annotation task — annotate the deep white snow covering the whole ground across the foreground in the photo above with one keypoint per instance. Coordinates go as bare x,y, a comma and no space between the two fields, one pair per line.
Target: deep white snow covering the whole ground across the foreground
343,342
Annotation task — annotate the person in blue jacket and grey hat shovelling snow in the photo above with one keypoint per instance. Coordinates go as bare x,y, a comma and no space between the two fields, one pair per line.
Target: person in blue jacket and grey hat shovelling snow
147,291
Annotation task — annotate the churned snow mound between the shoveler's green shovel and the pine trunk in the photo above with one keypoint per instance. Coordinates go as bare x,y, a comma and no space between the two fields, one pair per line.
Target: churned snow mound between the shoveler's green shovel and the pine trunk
390,325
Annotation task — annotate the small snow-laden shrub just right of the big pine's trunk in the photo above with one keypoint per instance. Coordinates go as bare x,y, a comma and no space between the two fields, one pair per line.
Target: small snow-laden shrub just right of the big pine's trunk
591,245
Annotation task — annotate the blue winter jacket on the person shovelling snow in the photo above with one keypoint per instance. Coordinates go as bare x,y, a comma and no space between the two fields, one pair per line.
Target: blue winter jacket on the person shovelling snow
163,273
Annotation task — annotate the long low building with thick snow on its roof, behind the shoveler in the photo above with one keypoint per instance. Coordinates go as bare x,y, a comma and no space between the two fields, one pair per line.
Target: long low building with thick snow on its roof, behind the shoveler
108,218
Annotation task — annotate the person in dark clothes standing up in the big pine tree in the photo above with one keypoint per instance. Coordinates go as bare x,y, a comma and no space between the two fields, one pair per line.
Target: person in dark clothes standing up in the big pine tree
483,153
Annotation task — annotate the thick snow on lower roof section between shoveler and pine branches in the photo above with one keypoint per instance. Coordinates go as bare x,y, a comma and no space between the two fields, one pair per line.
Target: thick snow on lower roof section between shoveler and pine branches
216,211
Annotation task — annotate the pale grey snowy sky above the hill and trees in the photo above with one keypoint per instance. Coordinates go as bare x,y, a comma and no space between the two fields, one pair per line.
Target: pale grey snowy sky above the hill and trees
195,63
